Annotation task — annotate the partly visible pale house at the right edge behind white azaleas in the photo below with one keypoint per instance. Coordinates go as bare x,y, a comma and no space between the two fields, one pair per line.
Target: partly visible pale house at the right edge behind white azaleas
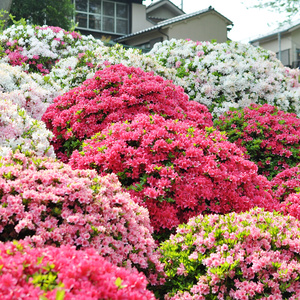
285,42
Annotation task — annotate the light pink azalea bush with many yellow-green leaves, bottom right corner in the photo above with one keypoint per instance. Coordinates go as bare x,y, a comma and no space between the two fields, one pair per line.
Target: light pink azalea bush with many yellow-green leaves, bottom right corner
251,255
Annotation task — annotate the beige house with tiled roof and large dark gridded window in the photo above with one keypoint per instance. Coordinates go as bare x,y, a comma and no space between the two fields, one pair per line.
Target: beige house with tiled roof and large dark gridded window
131,23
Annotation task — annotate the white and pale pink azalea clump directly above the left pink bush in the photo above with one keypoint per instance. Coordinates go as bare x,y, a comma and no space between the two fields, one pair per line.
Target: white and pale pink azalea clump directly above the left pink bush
18,131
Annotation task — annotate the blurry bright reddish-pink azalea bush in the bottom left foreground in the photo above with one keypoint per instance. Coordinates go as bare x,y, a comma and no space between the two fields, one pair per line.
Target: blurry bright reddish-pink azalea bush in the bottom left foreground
65,273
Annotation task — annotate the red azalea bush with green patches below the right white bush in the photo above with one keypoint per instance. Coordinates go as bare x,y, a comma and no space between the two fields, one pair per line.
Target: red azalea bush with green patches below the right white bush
268,136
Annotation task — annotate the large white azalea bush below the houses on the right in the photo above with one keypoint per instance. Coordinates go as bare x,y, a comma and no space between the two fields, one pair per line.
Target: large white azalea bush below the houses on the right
230,74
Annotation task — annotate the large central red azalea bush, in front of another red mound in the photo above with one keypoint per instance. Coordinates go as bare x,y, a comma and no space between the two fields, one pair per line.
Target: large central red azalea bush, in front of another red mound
175,169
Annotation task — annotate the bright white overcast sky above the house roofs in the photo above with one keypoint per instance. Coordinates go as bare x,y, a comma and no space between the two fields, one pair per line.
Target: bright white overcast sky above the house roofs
248,23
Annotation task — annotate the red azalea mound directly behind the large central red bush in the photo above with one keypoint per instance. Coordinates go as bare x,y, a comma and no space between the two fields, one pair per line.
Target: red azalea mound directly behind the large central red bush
114,94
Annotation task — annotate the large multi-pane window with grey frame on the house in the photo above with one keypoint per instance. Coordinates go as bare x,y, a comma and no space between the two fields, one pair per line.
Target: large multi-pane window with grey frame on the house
102,15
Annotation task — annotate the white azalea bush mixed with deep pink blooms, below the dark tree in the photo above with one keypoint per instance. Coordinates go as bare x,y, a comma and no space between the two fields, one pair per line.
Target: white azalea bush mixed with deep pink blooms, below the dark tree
37,48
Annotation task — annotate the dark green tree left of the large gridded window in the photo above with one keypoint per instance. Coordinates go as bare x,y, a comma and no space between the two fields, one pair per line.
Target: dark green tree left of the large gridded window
51,12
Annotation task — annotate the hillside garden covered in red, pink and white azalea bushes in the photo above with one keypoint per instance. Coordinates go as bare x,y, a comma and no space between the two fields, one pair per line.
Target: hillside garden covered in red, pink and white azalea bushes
168,175
